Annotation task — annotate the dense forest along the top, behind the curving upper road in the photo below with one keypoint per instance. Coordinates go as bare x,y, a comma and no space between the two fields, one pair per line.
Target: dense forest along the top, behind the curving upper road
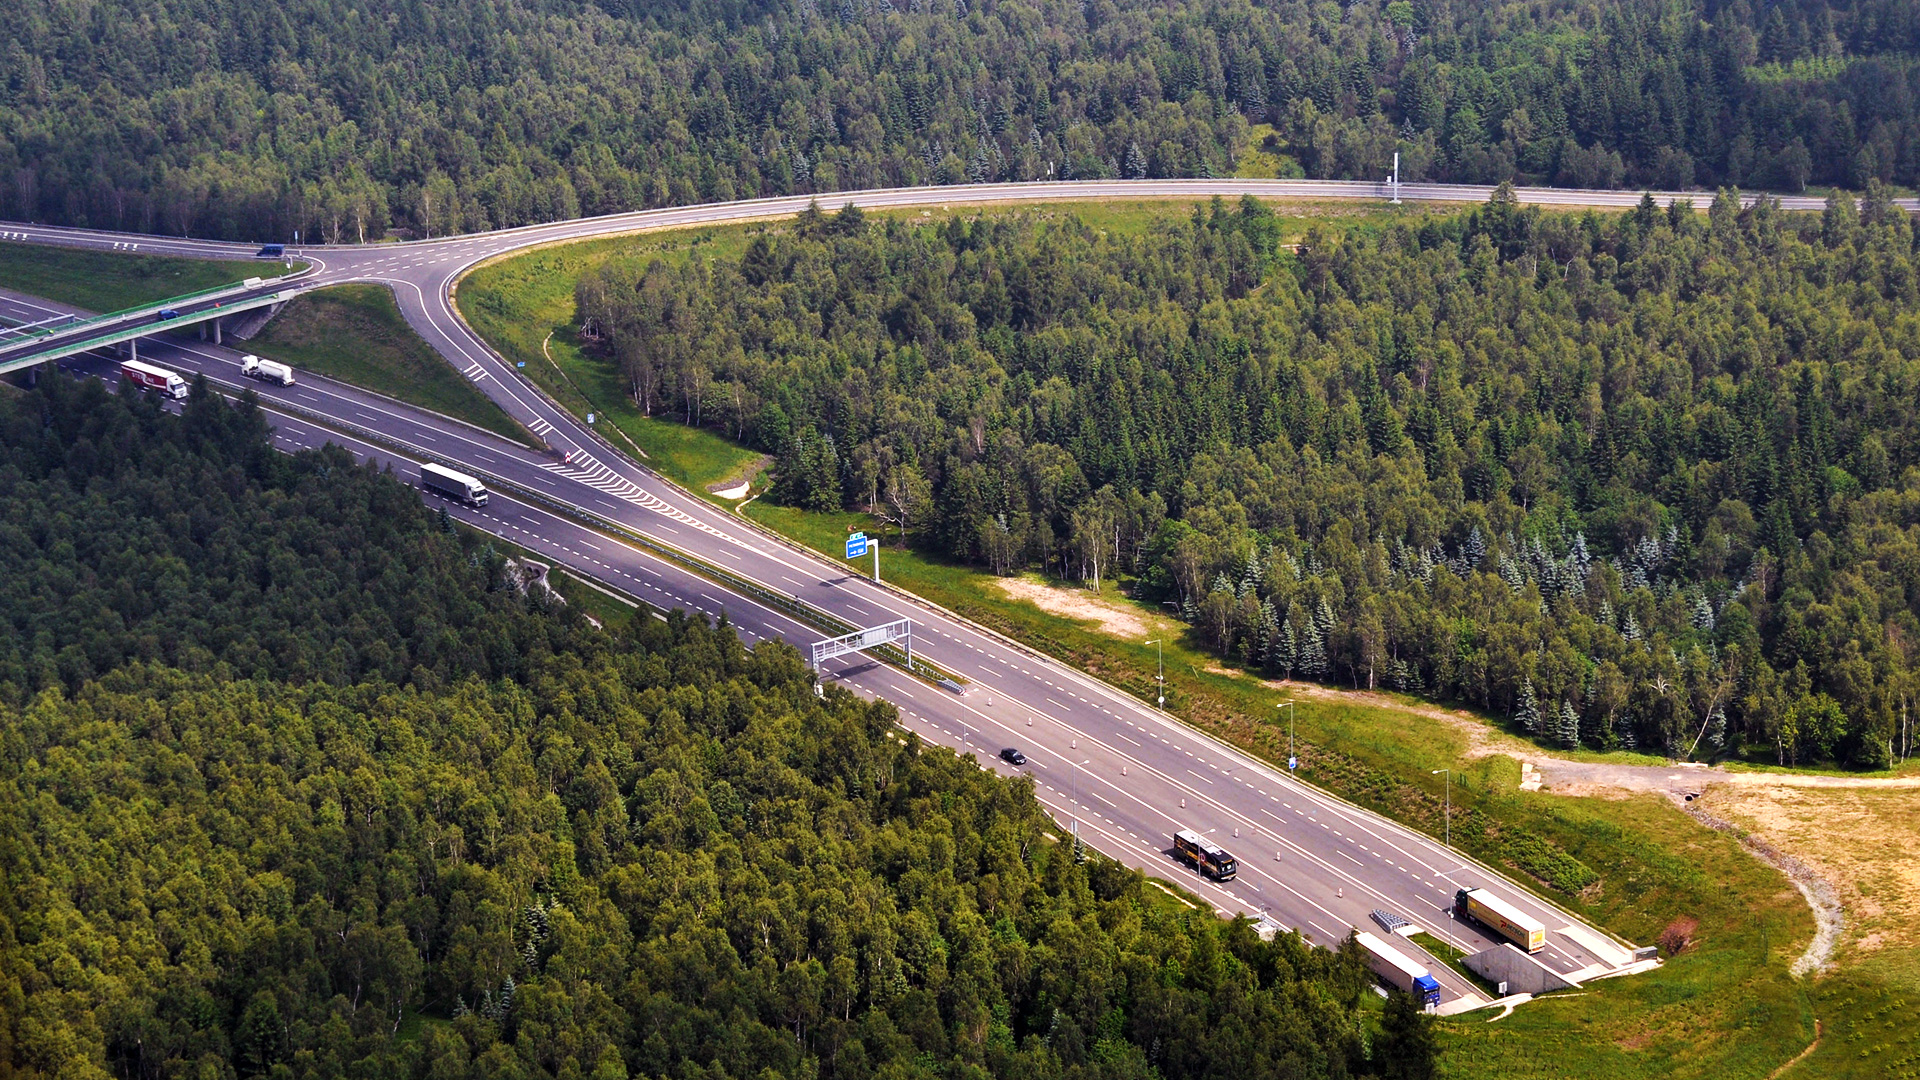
229,118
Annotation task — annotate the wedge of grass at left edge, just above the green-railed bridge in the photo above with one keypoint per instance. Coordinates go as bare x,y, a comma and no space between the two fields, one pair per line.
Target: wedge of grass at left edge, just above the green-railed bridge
108,282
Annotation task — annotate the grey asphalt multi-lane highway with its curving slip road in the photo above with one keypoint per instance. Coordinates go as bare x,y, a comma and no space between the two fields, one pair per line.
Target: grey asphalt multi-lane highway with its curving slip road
1109,766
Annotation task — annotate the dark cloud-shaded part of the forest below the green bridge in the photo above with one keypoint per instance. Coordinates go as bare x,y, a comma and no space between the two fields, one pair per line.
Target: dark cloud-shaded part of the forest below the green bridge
189,543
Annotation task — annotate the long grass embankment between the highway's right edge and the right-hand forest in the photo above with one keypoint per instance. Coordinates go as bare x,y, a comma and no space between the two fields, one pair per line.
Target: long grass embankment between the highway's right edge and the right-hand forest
1725,1008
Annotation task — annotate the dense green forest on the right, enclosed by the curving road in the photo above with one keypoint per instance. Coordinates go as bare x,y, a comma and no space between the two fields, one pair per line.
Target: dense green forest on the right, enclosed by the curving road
1646,479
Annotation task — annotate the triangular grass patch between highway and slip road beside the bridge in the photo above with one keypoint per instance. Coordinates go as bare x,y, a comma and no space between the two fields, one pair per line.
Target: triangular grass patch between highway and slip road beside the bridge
358,335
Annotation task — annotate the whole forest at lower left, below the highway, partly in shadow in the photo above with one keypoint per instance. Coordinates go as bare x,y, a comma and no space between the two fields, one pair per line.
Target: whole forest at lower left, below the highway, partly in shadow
644,852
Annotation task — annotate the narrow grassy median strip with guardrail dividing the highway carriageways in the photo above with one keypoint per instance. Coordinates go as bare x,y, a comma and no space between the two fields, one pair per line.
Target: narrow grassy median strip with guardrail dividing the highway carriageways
782,602
